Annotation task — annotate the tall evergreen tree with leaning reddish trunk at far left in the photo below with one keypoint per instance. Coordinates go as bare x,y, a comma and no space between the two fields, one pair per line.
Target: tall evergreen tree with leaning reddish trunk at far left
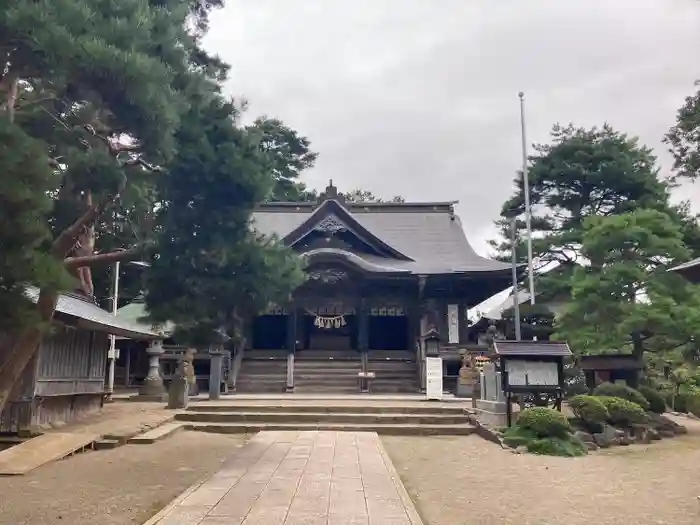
93,91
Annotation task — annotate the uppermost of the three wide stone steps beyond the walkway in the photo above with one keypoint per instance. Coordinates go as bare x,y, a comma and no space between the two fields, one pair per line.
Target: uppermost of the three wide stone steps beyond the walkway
371,407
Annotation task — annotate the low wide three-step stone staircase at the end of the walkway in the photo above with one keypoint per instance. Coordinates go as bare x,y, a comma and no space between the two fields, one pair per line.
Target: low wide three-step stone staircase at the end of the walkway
383,417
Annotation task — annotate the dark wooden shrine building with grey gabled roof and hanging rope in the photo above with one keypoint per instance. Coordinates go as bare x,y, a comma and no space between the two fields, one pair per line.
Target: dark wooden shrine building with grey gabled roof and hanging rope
379,276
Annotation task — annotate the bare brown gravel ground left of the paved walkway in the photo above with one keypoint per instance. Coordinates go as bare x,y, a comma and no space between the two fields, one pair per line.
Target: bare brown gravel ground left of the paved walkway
123,486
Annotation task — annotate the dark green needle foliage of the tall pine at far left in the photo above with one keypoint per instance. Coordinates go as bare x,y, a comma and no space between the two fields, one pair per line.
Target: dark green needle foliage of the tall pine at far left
99,87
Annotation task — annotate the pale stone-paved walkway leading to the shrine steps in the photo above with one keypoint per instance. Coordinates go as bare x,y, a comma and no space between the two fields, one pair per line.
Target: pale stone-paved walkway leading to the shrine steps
299,478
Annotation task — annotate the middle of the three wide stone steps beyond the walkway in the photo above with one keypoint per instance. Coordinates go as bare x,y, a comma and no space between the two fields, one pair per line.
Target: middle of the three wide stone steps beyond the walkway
322,417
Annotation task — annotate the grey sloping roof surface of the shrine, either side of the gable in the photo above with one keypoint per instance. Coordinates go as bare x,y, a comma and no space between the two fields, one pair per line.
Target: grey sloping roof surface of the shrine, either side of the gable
431,235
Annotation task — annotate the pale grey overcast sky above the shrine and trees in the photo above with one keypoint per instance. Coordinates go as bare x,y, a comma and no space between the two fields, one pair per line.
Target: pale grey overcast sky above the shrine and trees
419,97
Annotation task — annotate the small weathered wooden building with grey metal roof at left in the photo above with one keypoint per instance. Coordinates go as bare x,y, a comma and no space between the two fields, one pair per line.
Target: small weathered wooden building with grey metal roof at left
66,378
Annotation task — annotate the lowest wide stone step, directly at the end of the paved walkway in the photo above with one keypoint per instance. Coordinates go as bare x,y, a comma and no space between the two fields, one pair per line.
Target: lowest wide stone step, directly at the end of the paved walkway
391,429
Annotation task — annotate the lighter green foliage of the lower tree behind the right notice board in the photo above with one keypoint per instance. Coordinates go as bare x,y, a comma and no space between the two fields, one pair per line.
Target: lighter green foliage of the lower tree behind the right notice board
629,254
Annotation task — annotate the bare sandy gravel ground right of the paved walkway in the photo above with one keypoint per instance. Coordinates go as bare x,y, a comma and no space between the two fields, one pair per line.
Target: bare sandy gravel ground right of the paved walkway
467,480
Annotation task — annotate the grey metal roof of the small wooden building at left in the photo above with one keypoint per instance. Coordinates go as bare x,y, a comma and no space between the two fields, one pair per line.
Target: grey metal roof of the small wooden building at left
92,317
